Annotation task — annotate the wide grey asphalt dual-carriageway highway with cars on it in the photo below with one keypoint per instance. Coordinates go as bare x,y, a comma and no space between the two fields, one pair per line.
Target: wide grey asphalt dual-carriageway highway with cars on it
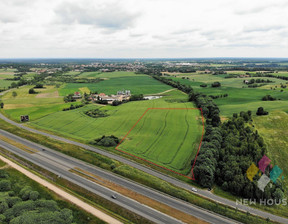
60,164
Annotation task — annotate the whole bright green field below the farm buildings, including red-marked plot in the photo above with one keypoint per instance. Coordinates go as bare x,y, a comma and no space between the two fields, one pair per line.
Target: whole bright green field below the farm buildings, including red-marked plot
76,124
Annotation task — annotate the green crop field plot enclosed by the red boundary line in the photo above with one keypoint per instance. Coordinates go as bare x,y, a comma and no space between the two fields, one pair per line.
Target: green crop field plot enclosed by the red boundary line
166,137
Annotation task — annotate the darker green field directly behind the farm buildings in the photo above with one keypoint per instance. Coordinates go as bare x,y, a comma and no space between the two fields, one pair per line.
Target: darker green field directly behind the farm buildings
137,84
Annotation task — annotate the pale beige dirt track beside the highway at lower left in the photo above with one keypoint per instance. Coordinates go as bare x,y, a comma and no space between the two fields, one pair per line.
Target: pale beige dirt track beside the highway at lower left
63,194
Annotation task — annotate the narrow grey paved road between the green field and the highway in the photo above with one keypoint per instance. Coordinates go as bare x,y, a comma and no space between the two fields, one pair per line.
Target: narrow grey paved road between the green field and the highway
162,176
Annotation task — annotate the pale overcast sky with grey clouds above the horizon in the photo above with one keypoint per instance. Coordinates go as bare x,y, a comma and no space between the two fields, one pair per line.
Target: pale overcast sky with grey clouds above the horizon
143,28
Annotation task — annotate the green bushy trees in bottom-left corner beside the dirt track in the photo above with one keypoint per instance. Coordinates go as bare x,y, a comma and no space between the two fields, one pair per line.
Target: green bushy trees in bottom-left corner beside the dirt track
22,204
